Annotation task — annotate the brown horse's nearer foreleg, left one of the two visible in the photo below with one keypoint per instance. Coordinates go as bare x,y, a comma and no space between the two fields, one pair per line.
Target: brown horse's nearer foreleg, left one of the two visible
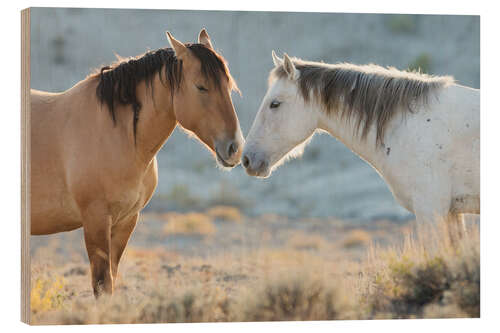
97,233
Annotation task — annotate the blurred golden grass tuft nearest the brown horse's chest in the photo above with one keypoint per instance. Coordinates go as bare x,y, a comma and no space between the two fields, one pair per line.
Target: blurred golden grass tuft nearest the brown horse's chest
189,224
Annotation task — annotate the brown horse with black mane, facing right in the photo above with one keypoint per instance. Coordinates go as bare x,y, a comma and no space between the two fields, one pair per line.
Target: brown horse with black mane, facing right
94,146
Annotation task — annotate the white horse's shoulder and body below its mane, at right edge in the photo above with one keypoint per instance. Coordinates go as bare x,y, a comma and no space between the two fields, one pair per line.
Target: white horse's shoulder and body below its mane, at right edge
435,151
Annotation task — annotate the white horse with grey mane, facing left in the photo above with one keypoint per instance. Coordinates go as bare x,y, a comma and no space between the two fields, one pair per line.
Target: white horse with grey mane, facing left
419,132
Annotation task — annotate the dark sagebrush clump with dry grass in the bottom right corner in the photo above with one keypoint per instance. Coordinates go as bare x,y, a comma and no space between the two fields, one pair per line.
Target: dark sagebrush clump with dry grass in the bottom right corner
426,274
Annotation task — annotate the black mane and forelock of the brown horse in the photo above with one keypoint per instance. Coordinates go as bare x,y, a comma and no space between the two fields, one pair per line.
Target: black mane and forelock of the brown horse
118,82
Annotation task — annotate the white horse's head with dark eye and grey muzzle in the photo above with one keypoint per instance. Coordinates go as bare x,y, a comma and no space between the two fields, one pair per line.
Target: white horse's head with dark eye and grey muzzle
283,125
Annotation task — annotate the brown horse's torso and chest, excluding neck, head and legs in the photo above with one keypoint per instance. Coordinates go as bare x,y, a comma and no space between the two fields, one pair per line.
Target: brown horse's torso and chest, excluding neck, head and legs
79,157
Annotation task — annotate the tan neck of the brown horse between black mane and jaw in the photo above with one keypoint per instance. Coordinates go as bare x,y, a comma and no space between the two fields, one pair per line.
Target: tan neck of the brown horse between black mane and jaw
156,119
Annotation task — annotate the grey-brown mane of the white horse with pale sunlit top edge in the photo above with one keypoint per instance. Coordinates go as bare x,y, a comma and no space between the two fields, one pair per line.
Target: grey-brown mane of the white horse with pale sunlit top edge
370,94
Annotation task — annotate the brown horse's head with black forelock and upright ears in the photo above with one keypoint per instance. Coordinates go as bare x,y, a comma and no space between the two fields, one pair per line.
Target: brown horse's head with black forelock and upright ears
202,102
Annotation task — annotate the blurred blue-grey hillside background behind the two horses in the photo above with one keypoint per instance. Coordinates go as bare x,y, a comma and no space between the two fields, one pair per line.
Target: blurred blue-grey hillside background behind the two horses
329,181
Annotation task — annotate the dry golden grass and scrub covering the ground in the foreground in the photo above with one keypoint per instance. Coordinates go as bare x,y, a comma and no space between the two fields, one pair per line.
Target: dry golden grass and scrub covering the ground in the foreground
423,277
